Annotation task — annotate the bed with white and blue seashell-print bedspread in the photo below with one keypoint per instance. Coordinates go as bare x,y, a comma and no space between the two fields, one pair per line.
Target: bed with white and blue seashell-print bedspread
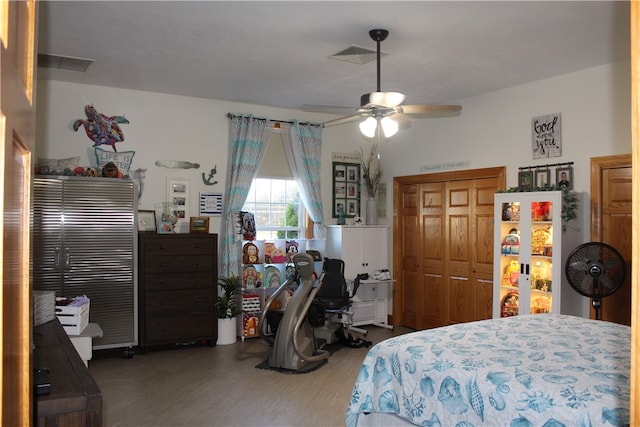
533,370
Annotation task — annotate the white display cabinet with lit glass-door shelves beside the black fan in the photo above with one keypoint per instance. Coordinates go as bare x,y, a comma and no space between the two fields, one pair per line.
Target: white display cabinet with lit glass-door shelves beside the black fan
530,250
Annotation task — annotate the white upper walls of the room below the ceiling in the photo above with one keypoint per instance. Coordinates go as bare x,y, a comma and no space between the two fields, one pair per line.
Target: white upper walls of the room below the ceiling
492,130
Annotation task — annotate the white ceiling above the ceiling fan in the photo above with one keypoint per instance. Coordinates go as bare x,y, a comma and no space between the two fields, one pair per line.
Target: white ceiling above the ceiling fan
277,53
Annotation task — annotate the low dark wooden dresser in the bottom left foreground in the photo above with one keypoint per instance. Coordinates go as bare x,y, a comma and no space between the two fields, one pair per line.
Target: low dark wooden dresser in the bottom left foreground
74,399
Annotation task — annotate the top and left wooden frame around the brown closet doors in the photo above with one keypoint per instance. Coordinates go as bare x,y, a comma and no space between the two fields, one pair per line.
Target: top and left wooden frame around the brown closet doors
498,172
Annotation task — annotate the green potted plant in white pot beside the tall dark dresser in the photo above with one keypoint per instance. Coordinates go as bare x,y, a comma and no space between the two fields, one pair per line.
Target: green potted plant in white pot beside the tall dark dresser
228,307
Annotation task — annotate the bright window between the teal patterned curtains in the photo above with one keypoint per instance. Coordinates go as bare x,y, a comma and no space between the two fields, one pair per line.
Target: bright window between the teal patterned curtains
275,204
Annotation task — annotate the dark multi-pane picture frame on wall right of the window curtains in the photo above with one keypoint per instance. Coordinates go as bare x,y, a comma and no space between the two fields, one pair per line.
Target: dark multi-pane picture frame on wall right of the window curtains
346,189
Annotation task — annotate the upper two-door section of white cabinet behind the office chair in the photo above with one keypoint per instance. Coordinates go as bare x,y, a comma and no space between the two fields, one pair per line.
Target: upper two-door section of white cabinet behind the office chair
364,249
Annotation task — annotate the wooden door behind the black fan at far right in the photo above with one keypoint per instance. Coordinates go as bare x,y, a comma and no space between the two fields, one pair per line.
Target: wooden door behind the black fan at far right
611,223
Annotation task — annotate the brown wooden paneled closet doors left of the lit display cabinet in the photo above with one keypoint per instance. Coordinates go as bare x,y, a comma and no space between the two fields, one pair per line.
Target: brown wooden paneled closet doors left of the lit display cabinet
443,243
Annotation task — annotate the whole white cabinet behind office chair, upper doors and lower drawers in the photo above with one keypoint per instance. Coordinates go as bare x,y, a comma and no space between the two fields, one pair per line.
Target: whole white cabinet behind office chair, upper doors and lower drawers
364,249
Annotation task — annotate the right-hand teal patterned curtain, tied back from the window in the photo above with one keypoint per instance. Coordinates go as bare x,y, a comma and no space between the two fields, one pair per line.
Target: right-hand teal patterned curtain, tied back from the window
303,147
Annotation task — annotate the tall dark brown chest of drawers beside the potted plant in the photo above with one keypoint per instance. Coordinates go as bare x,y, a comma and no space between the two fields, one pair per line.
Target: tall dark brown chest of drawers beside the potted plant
177,288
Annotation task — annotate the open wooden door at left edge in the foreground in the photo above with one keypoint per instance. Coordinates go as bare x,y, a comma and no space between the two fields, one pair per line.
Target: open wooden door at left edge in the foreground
17,50
